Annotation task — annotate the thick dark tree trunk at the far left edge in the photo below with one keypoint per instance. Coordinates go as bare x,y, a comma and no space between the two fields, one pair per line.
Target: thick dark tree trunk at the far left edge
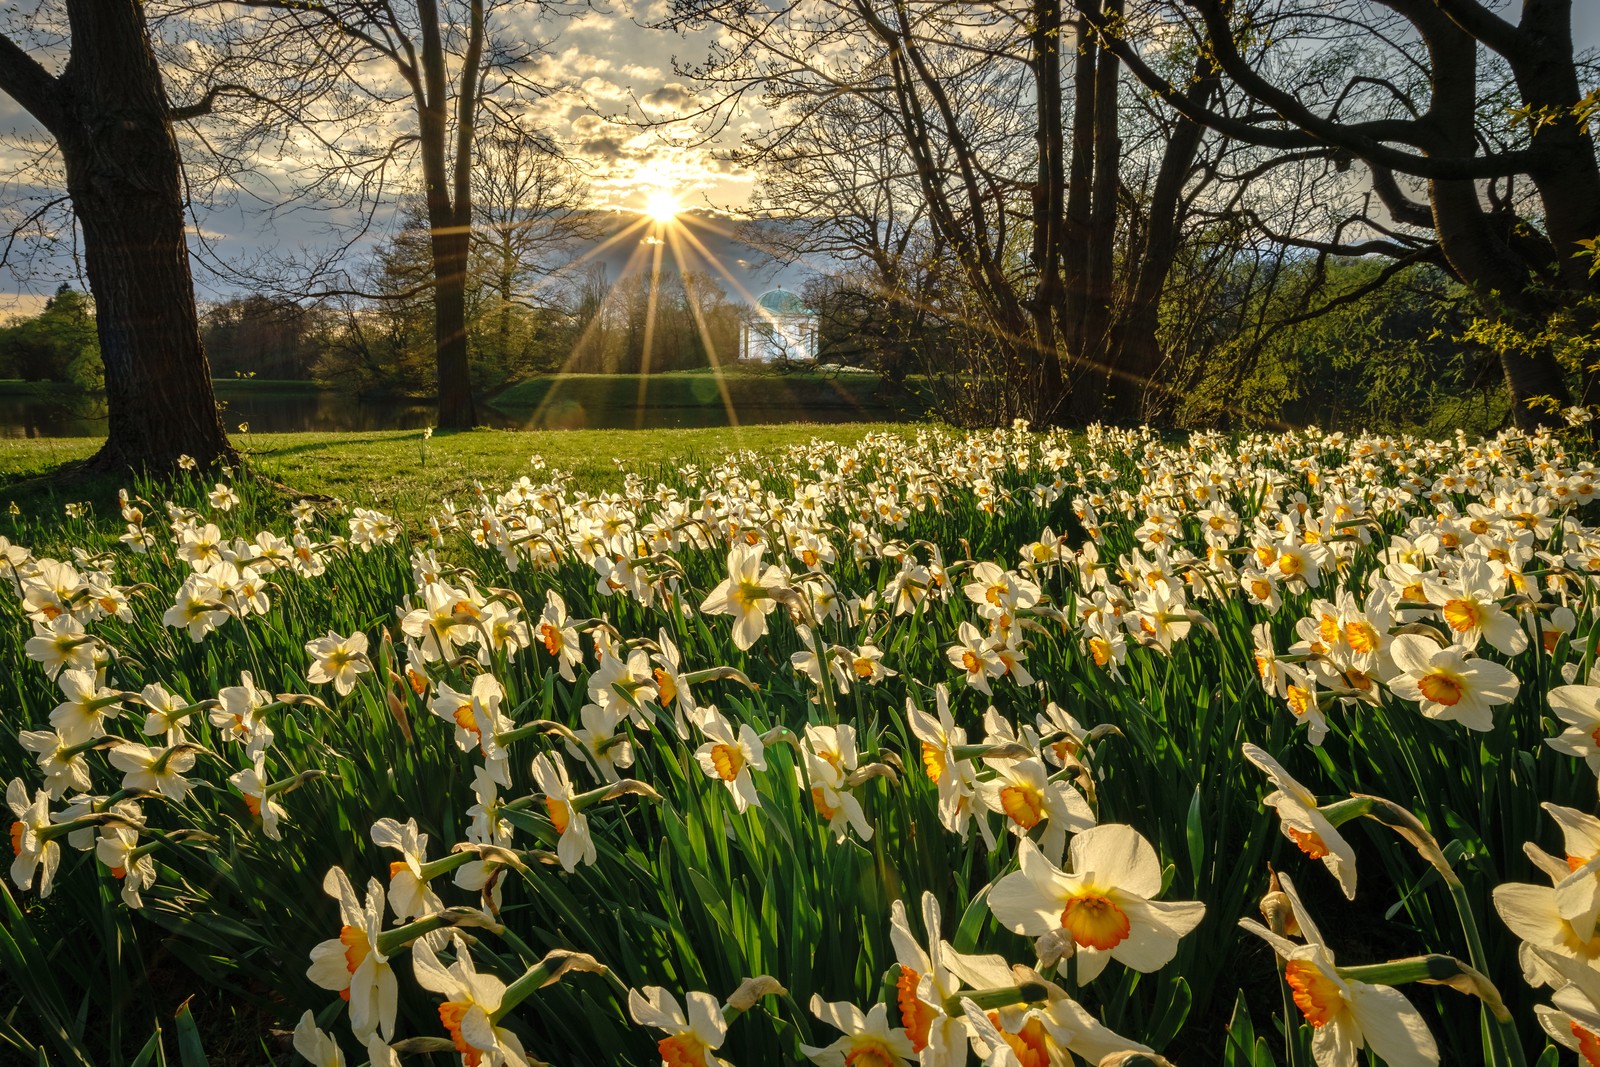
110,118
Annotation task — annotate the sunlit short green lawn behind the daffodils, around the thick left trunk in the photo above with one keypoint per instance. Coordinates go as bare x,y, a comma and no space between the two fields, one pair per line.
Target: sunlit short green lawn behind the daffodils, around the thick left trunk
388,471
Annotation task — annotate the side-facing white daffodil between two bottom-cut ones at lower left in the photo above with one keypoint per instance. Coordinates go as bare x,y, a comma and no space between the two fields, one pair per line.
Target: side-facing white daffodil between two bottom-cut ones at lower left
351,964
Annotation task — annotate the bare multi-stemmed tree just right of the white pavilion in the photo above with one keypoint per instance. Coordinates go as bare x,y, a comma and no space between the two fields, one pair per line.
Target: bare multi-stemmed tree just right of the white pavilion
1018,162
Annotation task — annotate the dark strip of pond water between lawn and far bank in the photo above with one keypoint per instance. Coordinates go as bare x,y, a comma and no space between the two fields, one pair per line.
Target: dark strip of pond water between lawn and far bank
31,412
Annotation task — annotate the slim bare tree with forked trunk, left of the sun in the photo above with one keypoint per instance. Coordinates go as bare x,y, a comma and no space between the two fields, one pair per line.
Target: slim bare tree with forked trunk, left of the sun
350,65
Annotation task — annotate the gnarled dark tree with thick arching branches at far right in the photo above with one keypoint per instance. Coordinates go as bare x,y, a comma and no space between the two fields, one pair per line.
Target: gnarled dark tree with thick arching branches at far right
1511,193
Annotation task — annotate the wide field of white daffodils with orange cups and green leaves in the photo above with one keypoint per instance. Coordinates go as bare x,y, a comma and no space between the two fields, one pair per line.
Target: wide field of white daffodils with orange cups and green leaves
1018,749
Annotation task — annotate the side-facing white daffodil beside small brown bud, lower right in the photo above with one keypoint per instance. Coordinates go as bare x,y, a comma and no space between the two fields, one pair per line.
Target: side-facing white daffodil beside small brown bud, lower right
1346,1017
